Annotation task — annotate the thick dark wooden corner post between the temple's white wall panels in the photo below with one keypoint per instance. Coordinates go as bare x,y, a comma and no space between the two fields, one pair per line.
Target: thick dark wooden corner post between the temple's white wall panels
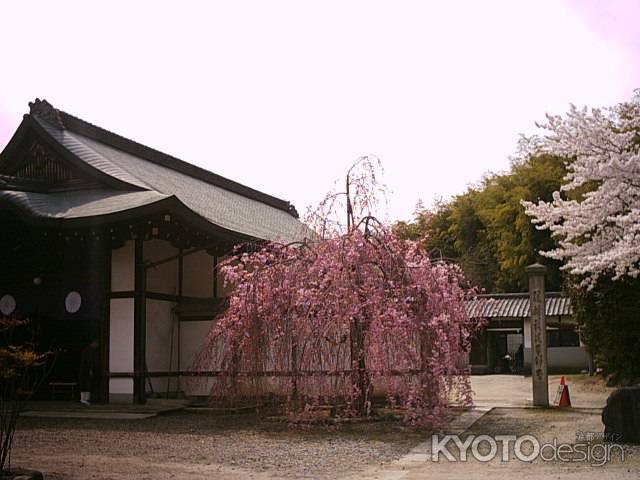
139,325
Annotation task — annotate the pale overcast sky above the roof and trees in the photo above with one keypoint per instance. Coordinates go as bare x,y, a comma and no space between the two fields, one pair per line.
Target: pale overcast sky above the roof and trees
284,95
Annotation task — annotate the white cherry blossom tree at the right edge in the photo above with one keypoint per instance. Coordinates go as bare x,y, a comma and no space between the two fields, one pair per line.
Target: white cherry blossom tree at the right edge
596,214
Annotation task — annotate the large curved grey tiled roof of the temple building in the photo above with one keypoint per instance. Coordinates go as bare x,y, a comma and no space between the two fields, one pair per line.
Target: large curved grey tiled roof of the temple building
136,175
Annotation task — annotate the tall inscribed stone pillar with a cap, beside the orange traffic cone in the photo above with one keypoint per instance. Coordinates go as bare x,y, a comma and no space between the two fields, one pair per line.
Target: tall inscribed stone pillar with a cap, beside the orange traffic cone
536,273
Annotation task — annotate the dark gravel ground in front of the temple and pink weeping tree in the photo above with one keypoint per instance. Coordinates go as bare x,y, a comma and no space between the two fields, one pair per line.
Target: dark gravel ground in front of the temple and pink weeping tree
200,445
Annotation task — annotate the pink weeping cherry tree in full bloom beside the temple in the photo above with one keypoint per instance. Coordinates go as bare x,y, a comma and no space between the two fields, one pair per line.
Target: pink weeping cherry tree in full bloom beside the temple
340,319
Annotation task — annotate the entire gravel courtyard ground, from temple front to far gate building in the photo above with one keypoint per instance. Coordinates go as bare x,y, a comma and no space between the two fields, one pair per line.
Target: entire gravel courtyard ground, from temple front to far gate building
195,445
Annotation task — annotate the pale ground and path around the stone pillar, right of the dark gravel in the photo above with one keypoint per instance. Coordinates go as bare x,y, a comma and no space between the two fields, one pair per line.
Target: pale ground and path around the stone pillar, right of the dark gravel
565,425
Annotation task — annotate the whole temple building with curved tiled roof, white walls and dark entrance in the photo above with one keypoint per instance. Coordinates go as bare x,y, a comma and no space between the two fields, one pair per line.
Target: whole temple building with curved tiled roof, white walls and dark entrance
106,239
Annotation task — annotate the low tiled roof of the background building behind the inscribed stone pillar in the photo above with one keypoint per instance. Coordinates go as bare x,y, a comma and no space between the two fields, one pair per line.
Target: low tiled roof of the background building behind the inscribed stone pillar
516,305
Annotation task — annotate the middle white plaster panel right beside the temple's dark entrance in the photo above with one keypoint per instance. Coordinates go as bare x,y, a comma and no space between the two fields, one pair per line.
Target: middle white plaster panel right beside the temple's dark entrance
121,335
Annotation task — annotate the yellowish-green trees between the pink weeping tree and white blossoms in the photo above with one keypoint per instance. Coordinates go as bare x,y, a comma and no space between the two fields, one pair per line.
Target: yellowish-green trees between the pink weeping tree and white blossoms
486,231
